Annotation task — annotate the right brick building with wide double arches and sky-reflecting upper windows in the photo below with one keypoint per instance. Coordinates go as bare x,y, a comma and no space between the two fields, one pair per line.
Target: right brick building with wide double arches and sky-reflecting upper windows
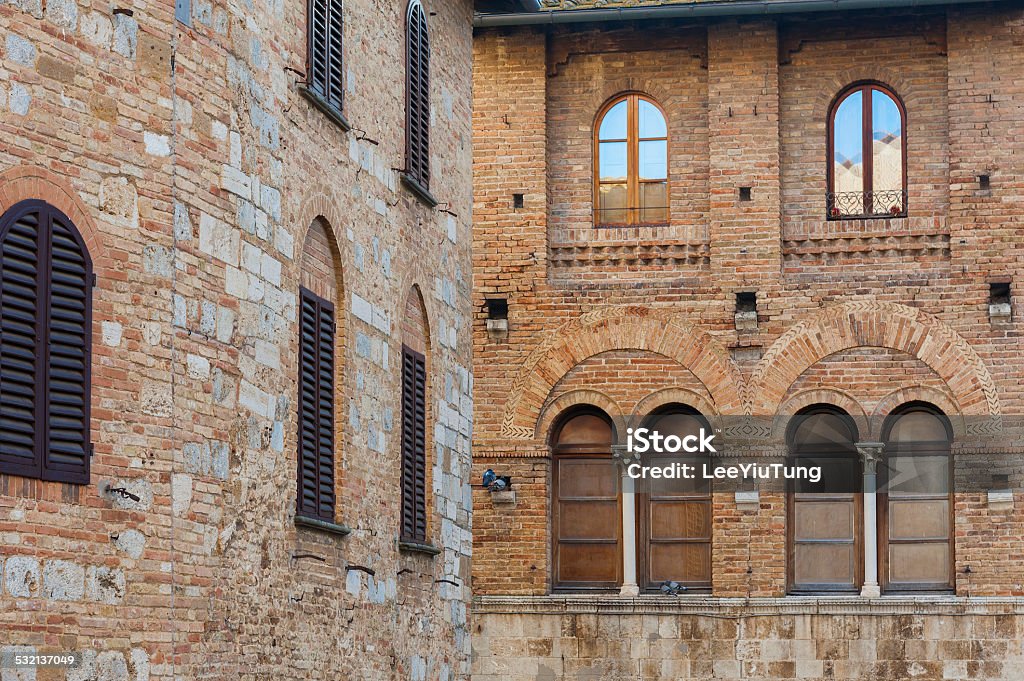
722,214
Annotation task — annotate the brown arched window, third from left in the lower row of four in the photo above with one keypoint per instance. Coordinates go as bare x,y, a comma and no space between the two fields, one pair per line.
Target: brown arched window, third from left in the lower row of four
826,522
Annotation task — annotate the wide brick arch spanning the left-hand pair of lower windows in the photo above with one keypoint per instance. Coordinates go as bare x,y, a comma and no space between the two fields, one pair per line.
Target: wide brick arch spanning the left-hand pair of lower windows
626,328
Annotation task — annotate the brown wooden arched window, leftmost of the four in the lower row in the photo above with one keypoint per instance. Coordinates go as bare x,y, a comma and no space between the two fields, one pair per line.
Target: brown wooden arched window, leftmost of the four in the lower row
586,510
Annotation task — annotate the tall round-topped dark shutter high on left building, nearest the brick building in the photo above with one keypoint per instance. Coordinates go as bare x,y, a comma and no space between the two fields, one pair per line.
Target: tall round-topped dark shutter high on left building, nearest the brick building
418,96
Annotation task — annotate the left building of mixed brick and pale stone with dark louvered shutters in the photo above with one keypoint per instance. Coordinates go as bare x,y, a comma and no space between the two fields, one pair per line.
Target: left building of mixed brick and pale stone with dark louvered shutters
225,225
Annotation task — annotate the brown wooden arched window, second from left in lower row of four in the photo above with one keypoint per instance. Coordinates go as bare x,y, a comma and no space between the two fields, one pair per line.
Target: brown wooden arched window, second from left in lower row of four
674,517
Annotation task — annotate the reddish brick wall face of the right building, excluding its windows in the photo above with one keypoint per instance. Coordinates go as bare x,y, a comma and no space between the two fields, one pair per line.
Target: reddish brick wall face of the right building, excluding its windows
867,315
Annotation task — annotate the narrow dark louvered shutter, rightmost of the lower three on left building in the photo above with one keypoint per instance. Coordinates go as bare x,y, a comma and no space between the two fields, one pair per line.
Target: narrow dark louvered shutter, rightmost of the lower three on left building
414,459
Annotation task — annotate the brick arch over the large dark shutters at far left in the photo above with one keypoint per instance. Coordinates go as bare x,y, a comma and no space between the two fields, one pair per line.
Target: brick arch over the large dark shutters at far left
24,183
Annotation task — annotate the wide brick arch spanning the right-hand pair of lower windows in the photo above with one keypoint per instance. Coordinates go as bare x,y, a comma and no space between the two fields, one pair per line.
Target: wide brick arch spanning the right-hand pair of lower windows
875,325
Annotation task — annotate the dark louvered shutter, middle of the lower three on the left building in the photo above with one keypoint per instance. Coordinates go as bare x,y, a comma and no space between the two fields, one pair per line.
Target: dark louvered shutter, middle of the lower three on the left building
316,458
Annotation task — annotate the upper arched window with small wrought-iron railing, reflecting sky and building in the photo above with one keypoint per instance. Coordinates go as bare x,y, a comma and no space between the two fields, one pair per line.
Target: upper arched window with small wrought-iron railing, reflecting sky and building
867,154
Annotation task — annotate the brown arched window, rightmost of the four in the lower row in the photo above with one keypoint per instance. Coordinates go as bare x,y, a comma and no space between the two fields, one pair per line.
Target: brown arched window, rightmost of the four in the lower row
916,501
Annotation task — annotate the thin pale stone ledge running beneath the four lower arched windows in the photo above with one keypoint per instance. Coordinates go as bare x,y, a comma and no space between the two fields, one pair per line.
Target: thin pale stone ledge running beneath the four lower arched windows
739,608
